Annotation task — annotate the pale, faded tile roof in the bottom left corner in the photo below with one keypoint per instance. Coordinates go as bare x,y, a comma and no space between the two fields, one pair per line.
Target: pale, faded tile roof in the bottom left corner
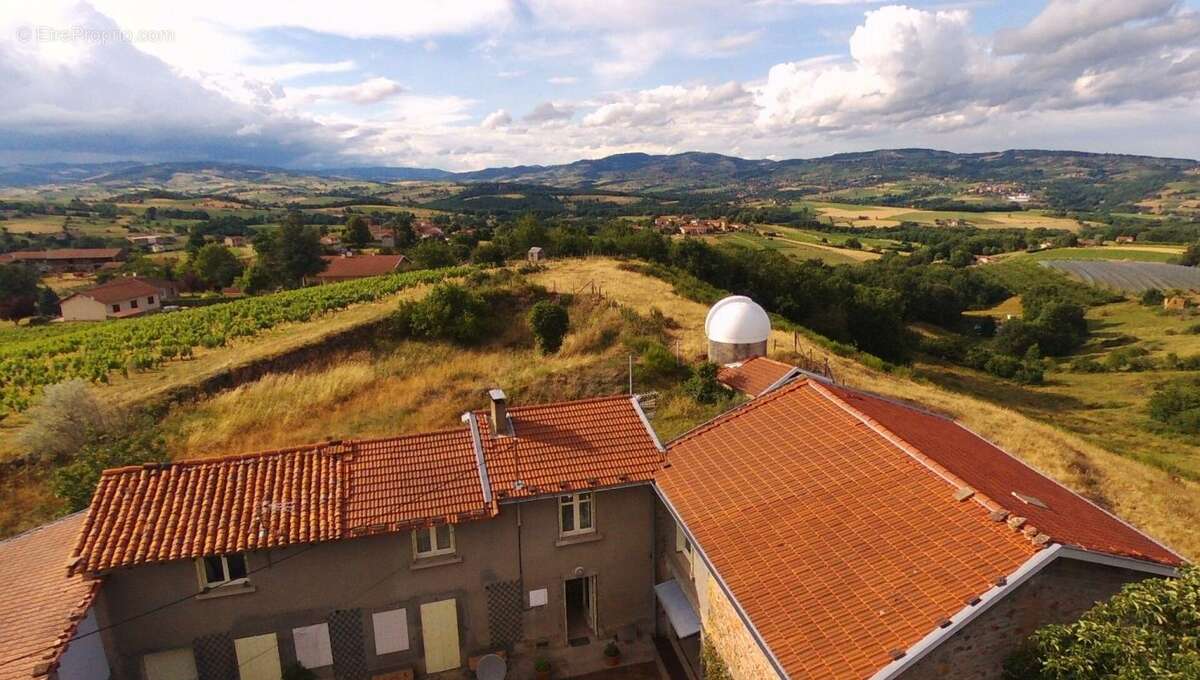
40,605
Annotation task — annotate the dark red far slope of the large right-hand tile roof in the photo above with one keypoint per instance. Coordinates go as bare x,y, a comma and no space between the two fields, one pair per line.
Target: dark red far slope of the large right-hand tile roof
1067,519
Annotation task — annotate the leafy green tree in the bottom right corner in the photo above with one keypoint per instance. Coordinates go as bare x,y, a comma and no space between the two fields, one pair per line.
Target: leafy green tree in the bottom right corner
1149,630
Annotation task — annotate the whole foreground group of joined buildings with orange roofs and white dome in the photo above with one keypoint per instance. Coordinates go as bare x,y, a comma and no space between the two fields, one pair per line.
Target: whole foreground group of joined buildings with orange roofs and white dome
812,532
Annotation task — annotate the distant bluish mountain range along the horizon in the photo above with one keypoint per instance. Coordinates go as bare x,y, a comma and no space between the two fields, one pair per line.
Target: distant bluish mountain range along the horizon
691,171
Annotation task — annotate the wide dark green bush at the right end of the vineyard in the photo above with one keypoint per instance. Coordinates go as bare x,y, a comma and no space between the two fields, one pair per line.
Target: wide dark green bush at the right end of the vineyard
449,312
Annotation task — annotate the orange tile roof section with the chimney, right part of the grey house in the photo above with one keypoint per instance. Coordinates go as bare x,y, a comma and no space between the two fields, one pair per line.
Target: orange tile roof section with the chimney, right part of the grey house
573,446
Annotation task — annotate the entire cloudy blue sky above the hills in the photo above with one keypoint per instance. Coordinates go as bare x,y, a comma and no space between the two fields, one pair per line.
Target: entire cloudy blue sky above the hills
469,85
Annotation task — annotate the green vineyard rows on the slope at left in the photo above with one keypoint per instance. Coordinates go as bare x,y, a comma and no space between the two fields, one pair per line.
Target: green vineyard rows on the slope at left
95,352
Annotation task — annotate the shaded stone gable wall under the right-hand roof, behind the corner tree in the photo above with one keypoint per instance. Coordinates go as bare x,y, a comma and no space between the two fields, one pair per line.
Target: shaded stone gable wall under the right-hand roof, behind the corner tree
1059,594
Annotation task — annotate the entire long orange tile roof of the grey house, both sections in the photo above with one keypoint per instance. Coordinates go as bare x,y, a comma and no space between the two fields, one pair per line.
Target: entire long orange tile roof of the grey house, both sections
151,514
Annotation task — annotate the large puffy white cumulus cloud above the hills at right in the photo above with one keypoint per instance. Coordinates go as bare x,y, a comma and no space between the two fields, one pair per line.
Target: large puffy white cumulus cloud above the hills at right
928,70
